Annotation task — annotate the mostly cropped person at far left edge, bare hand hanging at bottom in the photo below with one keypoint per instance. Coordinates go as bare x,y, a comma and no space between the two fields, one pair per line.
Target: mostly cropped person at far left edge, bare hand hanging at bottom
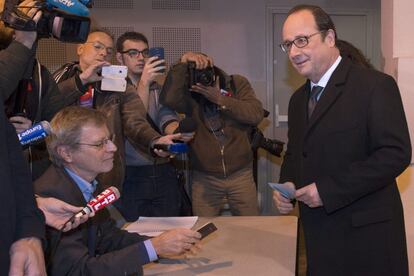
22,225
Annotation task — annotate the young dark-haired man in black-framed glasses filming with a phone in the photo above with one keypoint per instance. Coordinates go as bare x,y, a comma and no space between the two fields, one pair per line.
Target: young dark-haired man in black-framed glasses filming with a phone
151,185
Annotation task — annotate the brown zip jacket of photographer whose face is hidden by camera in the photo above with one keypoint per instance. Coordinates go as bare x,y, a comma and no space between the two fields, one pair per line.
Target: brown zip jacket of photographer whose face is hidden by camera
238,114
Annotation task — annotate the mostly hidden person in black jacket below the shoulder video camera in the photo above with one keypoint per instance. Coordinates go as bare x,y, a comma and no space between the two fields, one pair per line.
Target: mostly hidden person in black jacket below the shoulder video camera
35,99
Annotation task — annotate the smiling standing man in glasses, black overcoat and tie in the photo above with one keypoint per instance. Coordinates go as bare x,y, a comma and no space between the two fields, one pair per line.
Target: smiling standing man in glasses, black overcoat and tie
348,141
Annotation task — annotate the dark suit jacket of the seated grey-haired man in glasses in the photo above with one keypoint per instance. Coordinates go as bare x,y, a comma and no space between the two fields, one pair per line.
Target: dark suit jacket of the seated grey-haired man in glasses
96,247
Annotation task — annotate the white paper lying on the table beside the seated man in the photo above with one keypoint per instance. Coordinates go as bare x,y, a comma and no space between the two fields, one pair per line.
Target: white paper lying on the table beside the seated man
153,226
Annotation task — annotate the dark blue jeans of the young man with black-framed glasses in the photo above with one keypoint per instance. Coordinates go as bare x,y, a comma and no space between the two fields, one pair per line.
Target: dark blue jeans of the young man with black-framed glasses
150,191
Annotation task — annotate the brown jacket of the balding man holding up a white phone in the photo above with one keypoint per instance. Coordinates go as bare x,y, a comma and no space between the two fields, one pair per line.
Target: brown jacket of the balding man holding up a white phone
126,118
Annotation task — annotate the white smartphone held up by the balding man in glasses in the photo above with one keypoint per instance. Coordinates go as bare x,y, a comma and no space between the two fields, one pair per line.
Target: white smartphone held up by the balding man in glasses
114,78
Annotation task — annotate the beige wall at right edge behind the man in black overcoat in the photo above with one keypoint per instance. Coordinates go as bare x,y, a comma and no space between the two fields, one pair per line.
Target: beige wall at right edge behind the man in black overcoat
398,51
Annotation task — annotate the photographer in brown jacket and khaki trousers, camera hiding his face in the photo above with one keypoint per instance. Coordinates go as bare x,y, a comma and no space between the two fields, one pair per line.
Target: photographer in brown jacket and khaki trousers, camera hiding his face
225,108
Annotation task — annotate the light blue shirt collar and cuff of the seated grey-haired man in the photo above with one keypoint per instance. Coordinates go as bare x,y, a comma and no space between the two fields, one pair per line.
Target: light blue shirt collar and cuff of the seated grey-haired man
88,188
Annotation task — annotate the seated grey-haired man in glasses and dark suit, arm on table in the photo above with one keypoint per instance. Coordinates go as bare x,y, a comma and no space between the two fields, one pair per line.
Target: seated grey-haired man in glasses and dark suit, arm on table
80,148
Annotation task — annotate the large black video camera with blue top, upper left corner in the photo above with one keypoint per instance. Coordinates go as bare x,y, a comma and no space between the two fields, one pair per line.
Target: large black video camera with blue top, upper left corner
65,20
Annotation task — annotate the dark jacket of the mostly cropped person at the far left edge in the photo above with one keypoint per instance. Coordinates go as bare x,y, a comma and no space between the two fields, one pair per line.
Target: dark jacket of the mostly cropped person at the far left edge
19,214
